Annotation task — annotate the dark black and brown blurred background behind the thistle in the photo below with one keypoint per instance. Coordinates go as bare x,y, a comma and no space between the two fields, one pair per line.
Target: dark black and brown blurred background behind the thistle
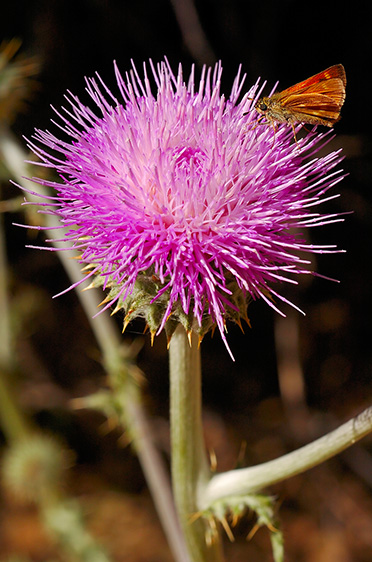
293,379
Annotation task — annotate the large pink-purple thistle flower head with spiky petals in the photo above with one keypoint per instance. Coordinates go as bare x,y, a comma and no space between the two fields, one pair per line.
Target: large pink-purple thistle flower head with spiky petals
179,202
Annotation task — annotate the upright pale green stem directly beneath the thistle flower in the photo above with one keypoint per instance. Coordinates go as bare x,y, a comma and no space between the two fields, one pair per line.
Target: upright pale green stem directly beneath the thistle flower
190,470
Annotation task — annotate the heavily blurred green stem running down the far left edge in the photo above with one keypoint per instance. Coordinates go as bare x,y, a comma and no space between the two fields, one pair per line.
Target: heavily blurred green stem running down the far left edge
62,518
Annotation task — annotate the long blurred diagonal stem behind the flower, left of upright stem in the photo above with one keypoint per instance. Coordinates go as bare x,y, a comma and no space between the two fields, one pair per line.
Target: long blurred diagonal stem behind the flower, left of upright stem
110,343
